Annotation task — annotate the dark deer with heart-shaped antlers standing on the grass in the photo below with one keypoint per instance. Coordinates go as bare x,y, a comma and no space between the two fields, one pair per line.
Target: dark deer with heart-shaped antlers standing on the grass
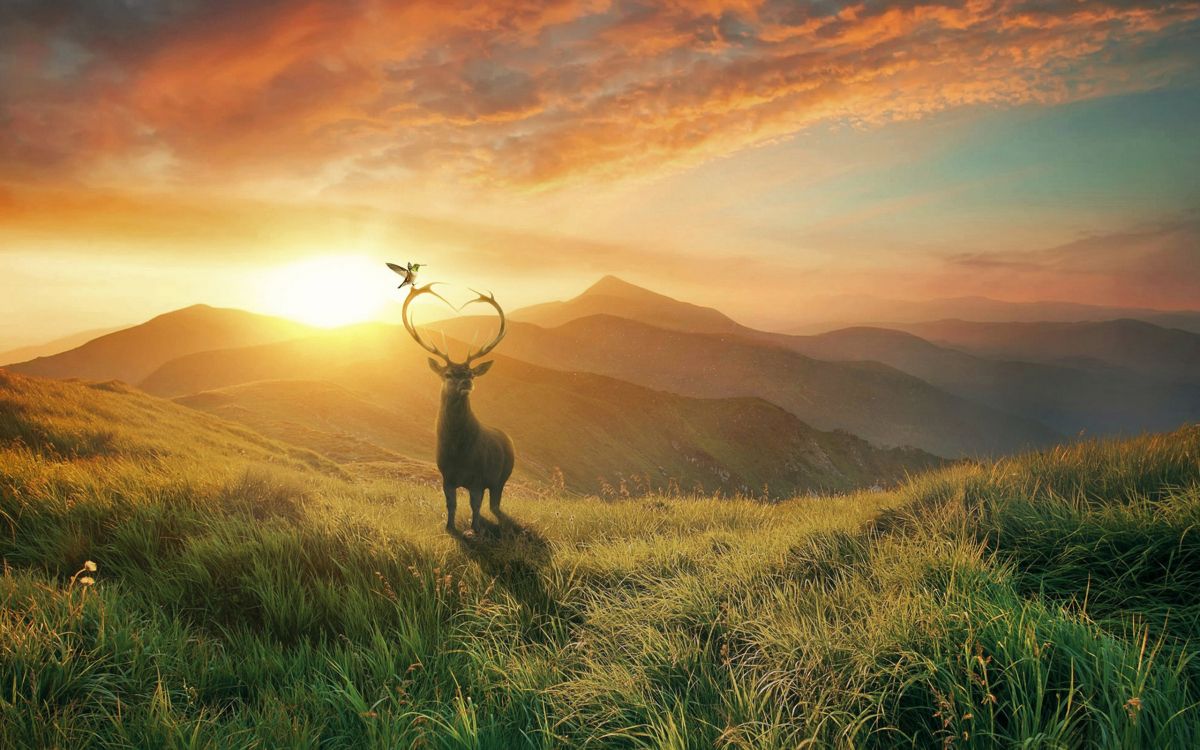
471,455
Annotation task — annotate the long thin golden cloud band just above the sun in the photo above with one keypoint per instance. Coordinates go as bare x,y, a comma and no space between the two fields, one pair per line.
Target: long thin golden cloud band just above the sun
173,229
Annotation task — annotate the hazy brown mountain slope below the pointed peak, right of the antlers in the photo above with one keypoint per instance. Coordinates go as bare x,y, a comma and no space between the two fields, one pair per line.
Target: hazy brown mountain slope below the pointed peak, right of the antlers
871,400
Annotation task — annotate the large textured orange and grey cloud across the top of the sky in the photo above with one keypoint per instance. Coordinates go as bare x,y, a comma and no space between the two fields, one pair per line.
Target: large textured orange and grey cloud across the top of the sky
525,94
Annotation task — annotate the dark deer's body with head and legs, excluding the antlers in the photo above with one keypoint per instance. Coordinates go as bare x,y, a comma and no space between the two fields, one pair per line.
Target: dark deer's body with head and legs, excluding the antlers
471,455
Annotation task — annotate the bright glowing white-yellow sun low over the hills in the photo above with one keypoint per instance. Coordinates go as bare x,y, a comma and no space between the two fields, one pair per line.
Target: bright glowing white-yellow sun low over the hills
328,291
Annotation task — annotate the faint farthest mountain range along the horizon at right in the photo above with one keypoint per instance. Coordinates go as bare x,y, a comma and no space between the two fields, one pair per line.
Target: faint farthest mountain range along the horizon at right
831,313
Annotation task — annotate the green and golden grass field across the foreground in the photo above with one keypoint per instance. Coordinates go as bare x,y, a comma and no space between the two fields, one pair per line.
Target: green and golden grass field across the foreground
249,595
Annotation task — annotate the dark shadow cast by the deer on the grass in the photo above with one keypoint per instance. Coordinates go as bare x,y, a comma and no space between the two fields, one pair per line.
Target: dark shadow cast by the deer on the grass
517,557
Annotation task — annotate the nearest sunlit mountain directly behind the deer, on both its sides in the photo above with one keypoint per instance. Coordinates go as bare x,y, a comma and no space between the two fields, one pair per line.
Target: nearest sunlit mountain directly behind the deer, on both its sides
370,397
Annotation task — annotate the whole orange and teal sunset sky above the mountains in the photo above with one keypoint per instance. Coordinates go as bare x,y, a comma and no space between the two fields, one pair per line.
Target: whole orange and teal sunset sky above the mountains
751,155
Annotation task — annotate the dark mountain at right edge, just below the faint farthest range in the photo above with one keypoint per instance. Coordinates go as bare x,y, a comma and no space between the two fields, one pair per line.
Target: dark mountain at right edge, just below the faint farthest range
1129,345
